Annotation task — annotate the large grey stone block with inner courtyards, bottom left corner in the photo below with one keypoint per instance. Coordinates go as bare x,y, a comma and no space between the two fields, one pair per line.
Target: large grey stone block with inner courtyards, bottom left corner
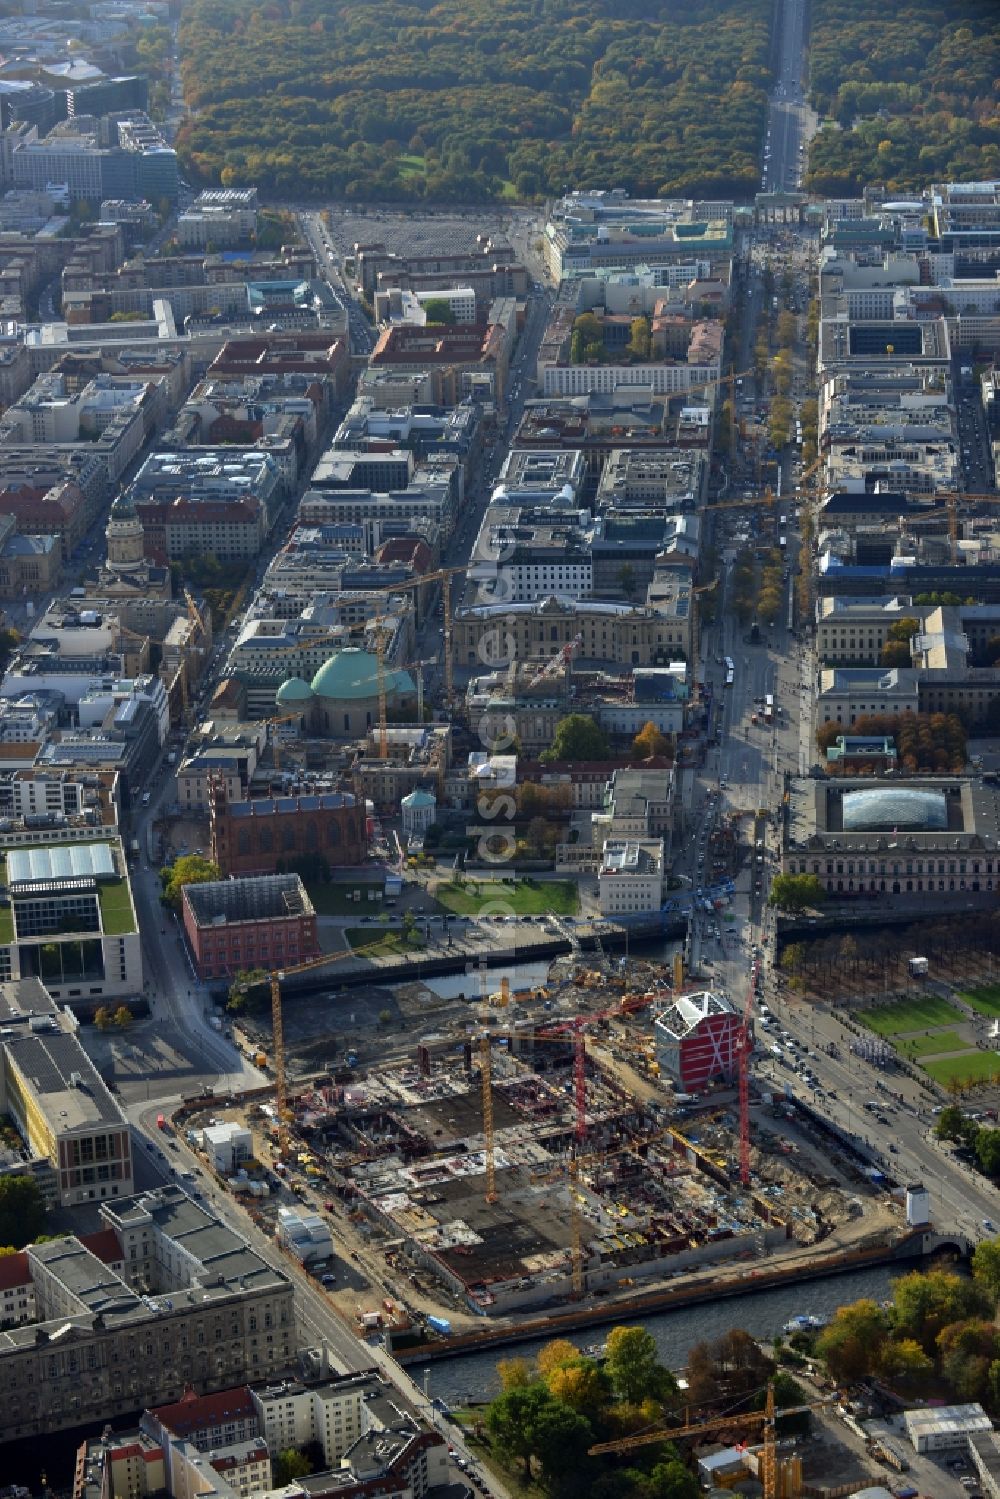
193,1305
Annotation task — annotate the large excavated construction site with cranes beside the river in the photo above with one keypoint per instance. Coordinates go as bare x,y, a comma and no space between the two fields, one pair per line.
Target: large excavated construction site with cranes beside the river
531,1152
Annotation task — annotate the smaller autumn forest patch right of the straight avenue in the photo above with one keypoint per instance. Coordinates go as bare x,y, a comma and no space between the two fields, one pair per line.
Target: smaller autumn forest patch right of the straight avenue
908,94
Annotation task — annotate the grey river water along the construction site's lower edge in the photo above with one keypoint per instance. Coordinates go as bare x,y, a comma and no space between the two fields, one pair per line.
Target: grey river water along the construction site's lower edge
473,1377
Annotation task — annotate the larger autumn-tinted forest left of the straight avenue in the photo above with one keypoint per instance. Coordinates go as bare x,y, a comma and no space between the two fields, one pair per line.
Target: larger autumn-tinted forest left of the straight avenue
476,100
